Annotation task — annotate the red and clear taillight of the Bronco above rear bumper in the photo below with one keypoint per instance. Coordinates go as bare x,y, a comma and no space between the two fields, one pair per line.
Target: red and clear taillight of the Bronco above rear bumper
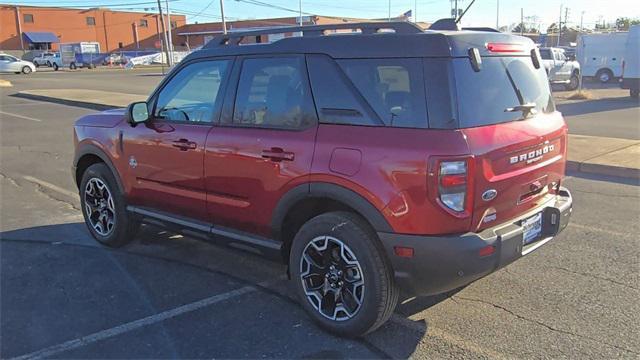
452,184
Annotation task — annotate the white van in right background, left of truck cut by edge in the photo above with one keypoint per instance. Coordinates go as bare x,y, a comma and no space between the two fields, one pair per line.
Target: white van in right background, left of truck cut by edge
600,55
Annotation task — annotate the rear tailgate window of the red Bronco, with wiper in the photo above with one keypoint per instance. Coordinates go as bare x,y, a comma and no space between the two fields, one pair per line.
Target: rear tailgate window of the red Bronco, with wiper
503,83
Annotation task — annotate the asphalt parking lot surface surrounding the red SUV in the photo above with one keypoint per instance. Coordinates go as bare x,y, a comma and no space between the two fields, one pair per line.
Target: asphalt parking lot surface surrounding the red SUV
166,296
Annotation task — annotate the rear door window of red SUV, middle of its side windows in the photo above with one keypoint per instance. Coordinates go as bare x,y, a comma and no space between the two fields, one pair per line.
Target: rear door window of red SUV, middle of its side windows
273,93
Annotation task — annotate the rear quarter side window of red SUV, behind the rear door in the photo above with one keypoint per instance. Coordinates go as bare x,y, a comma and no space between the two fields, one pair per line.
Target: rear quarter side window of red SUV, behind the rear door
394,88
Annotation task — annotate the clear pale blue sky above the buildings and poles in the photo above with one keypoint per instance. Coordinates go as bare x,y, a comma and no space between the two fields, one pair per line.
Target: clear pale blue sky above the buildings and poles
482,13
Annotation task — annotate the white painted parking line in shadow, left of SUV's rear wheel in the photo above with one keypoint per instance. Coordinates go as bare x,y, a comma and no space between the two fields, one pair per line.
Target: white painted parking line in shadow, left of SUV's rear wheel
133,325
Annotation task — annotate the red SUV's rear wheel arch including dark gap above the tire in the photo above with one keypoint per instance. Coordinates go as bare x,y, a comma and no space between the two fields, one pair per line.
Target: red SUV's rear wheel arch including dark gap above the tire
306,201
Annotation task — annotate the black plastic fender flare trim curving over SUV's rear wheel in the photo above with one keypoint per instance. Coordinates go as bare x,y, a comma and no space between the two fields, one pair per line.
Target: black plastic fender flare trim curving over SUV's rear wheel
330,191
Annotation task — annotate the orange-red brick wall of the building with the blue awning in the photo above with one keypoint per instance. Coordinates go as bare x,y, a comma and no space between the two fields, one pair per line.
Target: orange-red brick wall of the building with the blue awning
70,25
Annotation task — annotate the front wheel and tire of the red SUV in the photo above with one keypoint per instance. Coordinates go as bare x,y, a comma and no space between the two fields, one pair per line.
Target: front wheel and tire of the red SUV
117,227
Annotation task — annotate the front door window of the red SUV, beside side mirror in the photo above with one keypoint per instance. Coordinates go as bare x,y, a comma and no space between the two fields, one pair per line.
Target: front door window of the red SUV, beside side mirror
193,93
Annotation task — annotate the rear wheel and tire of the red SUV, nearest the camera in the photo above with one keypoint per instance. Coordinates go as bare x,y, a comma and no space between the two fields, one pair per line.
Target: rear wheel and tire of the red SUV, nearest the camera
367,275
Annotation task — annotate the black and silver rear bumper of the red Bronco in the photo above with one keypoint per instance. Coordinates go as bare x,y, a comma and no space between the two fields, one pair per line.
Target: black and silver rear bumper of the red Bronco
443,263
